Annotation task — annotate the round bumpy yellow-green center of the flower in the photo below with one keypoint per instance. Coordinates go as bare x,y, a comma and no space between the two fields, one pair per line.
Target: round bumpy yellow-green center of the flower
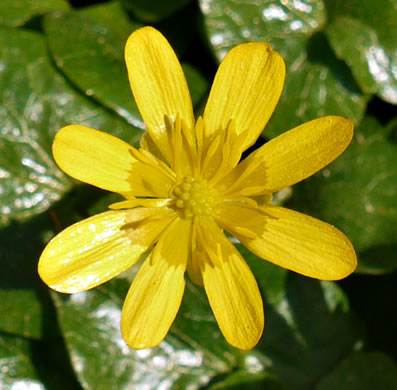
194,197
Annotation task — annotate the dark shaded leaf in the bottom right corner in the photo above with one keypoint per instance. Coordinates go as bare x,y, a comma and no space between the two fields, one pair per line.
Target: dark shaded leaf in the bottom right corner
362,371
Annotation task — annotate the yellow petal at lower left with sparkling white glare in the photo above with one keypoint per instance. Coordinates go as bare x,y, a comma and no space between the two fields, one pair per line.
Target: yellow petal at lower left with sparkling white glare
97,249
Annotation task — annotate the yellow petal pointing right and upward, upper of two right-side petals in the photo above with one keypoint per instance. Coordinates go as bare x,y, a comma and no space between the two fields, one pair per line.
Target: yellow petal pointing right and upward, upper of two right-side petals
291,157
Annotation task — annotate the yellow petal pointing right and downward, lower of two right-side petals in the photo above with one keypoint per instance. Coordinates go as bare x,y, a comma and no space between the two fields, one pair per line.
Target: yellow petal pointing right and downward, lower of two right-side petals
292,240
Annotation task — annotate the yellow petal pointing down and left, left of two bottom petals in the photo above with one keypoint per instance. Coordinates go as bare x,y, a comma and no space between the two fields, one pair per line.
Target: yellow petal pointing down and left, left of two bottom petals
156,293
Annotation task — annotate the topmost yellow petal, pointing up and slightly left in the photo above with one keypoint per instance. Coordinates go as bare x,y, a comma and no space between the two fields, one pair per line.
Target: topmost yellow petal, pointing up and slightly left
158,84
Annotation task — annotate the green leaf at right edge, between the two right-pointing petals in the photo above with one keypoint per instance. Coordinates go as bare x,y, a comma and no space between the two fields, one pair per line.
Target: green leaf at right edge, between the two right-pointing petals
358,194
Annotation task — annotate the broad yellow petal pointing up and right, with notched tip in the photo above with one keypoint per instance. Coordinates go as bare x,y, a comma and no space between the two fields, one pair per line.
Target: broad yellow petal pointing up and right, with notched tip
246,89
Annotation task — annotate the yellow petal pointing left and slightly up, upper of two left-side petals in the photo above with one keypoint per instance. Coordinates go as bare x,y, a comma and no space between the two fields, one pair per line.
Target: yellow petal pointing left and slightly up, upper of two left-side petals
107,162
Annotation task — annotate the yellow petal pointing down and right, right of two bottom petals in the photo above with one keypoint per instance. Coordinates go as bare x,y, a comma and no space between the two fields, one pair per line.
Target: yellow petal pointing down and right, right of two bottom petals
231,288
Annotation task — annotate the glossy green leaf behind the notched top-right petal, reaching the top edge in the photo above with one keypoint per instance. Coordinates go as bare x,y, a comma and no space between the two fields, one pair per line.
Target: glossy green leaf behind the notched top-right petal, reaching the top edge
317,84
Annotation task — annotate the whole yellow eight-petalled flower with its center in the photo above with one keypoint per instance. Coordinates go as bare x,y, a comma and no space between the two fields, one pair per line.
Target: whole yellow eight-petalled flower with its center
186,185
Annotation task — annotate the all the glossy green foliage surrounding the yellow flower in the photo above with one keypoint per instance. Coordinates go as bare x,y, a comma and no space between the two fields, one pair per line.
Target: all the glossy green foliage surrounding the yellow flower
61,62
